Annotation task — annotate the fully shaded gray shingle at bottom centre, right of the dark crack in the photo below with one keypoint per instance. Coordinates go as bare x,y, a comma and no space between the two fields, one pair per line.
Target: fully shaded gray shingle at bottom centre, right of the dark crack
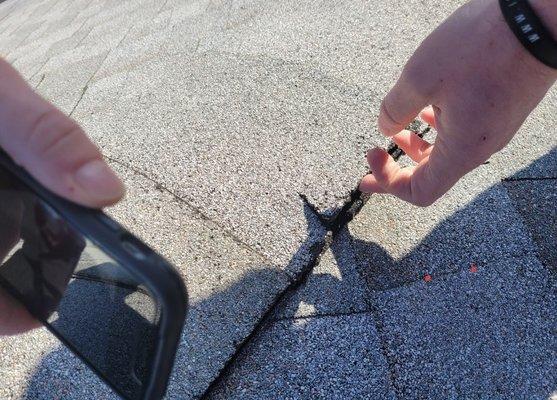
329,357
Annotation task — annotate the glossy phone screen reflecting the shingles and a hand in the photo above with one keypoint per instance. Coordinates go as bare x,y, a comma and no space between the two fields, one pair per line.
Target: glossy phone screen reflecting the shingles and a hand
99,309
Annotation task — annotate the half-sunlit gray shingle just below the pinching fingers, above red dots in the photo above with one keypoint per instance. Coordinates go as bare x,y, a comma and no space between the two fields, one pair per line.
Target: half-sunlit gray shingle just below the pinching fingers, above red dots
398,243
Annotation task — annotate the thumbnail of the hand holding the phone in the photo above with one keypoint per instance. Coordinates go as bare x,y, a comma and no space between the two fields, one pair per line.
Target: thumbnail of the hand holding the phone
98,180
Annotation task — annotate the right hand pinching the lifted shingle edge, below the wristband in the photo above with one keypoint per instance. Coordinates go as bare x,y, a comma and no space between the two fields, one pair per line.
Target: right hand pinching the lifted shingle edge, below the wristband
481,84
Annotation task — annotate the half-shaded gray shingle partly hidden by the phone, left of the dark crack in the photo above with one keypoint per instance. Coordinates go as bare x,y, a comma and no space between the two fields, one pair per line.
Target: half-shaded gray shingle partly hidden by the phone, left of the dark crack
230,288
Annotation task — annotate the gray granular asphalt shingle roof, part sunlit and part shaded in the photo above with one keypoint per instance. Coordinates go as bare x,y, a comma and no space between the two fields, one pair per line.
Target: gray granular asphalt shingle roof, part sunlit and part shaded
219,115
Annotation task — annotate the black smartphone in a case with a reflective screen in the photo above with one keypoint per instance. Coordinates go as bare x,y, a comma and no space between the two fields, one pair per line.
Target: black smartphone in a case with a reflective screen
106,295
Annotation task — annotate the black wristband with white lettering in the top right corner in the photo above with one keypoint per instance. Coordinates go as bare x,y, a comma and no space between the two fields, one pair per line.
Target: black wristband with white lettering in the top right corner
529,29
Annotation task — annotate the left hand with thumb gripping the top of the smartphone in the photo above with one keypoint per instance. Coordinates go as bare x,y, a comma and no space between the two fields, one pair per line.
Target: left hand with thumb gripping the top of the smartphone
56,151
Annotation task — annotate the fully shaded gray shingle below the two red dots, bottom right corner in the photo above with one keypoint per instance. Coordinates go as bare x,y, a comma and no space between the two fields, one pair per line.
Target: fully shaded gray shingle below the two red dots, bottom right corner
490,334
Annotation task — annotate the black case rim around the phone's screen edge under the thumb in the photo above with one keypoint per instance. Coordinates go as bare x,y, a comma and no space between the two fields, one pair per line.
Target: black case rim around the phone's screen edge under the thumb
159,277
